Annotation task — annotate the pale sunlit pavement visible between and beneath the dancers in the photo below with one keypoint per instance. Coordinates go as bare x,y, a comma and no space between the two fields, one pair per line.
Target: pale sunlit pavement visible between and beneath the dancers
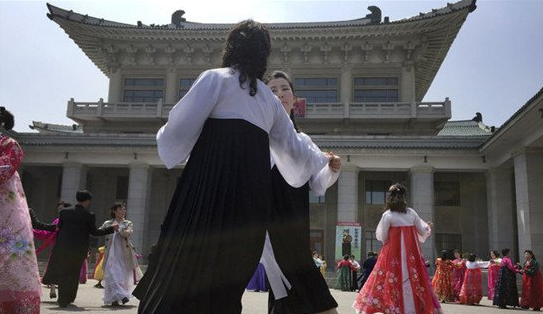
89,300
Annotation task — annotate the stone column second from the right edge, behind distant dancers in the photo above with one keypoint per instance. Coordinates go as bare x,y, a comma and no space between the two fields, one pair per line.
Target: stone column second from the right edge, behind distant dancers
499,192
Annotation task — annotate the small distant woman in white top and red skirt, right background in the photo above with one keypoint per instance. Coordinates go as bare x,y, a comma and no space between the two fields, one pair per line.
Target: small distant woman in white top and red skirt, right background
472,289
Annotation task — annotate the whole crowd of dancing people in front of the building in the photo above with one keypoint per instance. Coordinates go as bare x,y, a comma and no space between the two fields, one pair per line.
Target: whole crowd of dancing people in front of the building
243,197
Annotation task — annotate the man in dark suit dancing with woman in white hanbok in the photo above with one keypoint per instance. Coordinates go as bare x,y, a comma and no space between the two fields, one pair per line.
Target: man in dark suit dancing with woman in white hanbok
75,225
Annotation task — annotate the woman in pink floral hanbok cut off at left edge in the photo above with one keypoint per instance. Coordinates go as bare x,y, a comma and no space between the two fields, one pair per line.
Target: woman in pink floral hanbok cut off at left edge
20,288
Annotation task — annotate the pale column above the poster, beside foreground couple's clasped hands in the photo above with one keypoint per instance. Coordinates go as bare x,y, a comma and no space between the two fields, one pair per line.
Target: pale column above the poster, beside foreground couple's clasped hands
348,195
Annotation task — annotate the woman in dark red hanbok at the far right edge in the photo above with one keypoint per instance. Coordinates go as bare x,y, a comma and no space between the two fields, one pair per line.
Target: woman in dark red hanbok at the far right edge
532,283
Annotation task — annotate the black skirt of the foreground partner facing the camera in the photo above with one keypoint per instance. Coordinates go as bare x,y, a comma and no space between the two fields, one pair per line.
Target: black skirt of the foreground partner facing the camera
289,235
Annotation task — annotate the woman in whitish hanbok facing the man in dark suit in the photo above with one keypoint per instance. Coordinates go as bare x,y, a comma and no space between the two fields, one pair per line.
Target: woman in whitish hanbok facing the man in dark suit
119,262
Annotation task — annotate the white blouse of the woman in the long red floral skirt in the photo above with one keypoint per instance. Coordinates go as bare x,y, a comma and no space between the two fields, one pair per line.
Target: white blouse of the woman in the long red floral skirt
396,219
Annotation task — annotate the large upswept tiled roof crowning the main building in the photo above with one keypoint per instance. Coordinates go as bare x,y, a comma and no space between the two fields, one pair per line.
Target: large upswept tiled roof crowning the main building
436,29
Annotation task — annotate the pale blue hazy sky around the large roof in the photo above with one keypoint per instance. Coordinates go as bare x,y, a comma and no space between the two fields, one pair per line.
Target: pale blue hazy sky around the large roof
494,66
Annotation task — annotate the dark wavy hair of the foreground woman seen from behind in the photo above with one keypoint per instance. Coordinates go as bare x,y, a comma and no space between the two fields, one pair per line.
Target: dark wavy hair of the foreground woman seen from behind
247,50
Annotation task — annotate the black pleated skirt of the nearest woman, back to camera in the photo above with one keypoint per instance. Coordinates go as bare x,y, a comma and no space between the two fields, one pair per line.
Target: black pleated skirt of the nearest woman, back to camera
213,234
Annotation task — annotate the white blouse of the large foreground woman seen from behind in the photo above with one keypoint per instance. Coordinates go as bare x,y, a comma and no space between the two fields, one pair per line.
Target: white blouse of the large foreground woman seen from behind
216,94
